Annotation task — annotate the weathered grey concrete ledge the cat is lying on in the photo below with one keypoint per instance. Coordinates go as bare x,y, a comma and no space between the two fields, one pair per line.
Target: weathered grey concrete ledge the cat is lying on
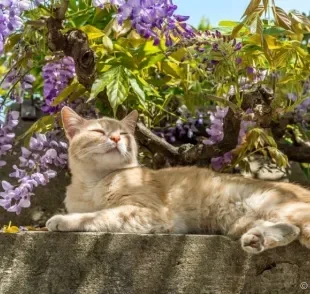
88,263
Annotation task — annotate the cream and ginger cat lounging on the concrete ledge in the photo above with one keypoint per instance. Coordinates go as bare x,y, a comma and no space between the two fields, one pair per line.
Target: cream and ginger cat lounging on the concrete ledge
110,192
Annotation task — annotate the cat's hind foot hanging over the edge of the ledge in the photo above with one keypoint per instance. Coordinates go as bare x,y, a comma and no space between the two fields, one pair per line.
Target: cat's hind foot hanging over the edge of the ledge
268,235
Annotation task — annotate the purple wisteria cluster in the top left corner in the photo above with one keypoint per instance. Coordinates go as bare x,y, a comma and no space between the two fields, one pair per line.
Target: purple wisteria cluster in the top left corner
10,20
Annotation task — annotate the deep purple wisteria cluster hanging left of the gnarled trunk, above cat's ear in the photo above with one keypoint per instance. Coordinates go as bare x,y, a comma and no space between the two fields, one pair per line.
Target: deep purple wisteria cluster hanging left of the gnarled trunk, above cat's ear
57,75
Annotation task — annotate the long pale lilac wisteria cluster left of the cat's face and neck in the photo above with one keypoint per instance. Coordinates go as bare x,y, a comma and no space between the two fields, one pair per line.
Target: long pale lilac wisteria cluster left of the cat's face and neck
34,170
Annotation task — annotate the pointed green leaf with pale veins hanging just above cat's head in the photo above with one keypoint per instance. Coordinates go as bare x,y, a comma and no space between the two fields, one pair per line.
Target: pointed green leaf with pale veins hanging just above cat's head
117,87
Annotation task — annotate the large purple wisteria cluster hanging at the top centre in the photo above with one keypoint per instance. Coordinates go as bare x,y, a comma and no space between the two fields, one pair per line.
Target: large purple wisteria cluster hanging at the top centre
152,17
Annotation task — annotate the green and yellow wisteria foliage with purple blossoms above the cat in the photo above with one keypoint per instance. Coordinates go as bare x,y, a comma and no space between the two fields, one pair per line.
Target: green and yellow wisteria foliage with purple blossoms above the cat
155,62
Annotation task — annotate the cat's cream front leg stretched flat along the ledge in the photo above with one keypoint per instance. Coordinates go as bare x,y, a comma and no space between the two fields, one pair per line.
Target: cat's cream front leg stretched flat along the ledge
125,219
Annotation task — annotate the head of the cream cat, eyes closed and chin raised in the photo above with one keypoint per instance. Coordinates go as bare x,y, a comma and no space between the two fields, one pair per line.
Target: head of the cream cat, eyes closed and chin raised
105,142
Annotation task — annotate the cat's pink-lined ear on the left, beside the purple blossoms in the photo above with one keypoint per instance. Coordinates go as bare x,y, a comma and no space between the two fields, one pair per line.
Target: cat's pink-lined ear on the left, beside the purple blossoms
71,121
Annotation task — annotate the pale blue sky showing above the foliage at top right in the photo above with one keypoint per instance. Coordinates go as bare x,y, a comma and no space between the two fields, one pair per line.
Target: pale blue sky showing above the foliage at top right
216,10
